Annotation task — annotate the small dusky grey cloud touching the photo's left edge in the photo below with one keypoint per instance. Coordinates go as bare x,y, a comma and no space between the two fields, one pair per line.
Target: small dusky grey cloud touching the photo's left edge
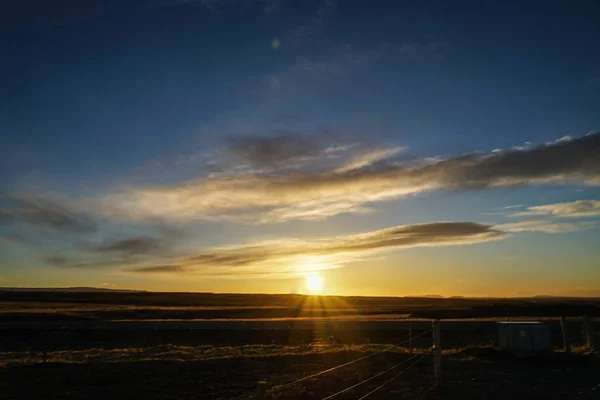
39,211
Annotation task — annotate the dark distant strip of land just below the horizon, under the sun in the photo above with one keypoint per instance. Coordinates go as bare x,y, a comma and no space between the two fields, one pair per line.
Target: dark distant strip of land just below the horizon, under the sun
72,306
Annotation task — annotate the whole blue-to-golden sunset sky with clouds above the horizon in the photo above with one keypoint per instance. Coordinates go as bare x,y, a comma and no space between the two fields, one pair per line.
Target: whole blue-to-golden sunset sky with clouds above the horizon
386,148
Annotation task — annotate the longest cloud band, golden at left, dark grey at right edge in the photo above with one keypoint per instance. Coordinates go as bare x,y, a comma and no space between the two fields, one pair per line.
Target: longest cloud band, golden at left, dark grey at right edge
301,193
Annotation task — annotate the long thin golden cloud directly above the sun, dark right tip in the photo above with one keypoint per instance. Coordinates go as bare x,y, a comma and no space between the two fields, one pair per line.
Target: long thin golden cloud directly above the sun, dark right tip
293,257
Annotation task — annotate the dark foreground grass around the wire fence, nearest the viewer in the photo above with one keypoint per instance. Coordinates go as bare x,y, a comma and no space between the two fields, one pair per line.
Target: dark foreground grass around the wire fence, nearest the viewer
467,373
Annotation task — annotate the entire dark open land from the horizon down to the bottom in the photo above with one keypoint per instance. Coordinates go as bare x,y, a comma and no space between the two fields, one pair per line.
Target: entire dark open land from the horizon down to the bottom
201,346
